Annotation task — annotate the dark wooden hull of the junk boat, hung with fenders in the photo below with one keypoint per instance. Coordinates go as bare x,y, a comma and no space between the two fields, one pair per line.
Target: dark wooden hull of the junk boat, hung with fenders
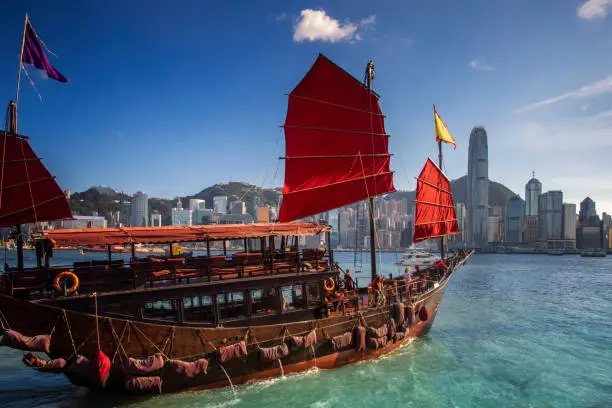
76,333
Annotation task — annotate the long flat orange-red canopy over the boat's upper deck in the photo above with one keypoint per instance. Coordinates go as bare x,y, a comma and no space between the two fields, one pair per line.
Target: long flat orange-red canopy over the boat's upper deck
160,235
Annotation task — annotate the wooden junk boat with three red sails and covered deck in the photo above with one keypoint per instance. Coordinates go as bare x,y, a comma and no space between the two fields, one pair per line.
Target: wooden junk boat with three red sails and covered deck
169,323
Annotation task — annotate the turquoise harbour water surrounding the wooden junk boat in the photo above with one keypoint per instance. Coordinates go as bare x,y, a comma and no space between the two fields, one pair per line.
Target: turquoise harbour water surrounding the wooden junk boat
512,331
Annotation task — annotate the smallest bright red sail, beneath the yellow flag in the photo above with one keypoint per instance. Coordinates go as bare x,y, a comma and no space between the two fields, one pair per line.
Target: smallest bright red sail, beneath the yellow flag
435,208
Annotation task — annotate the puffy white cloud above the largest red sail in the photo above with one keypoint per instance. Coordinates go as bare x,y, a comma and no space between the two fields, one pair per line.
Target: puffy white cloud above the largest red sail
316,25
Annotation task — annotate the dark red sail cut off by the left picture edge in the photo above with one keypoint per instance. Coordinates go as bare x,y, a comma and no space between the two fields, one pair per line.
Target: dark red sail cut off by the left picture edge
28,192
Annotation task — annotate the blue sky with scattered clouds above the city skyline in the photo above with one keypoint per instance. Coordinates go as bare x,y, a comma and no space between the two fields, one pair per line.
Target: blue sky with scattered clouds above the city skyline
171,97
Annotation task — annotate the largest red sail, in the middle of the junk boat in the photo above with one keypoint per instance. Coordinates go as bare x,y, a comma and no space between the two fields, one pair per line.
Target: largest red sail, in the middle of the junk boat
336,144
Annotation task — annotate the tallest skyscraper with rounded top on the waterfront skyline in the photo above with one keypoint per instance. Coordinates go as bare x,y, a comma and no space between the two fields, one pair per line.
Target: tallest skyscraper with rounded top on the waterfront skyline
478,188
